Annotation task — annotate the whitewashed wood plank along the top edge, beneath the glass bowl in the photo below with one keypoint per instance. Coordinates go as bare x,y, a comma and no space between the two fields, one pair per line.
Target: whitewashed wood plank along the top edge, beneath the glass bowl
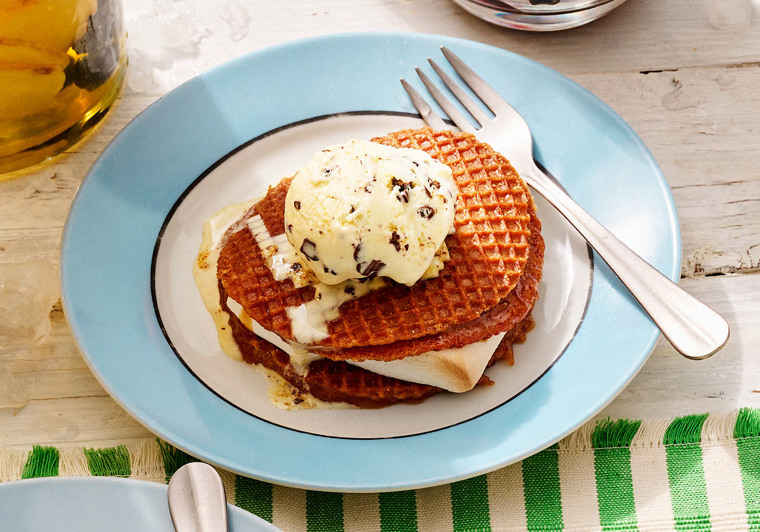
639,35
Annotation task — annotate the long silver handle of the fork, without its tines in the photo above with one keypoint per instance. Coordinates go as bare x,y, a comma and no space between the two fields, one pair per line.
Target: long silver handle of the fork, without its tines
692,328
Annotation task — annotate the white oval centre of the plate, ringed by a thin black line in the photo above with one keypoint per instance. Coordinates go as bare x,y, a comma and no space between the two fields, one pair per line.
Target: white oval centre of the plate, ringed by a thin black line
245,174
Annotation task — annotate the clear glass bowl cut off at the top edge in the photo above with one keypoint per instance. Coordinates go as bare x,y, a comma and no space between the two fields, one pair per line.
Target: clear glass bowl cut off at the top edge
539,15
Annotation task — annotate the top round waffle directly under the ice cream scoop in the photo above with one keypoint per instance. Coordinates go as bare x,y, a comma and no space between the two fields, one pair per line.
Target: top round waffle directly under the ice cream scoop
488,251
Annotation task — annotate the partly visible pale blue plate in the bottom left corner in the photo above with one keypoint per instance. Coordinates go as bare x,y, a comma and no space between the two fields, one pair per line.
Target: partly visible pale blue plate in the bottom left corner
94,504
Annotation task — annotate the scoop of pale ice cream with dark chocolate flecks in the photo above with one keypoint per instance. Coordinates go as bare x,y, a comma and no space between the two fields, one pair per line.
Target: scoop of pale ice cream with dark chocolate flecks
362,209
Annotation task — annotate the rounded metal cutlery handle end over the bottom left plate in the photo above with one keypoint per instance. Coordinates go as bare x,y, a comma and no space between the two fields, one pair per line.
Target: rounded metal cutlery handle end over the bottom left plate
197,501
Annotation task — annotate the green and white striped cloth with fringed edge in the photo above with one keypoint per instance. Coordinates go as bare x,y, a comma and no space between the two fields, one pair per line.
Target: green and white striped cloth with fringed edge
698,472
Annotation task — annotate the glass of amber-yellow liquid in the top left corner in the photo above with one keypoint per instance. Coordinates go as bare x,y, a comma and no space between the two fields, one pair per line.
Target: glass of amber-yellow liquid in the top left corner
62,63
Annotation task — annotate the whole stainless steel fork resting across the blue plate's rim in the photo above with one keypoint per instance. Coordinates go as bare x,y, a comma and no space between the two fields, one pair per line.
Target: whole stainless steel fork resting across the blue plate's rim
693,329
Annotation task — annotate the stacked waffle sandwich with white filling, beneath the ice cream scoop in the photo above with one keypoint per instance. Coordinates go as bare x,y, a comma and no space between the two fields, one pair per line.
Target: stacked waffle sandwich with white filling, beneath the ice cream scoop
382,342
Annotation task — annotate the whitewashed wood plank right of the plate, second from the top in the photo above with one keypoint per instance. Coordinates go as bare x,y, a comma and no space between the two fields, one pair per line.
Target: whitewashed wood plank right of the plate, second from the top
703,127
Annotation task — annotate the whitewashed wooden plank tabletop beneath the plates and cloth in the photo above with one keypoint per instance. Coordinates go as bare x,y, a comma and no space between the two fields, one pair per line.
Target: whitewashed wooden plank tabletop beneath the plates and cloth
684,73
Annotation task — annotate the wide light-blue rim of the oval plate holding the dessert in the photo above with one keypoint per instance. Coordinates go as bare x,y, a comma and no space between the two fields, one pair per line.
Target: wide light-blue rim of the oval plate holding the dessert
121,208
